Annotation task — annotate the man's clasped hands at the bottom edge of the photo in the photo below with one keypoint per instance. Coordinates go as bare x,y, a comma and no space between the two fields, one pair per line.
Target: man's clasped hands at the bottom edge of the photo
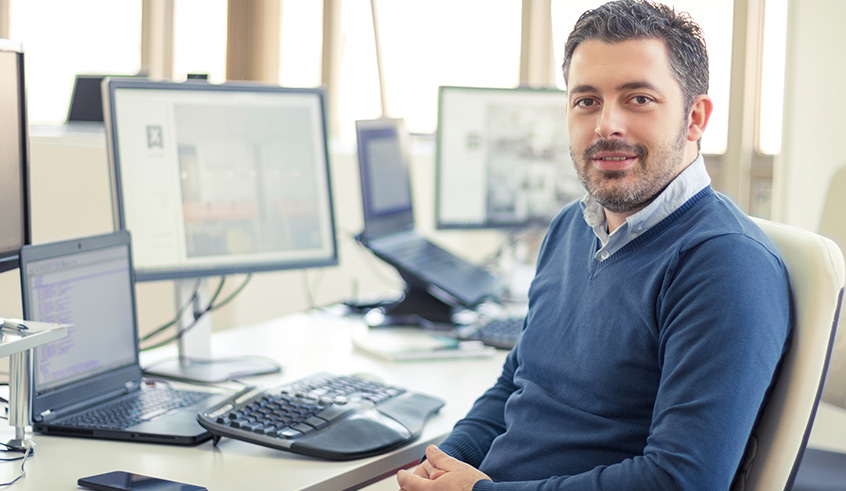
440,472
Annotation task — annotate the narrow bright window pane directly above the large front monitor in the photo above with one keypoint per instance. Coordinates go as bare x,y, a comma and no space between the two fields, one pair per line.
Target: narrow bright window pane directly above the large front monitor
199,39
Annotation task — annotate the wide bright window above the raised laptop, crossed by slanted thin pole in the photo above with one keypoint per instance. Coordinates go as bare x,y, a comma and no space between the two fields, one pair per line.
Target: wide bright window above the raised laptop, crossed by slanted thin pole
424,44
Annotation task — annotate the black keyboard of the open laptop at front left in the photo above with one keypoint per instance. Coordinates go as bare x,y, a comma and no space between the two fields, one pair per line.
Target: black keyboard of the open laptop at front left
135,408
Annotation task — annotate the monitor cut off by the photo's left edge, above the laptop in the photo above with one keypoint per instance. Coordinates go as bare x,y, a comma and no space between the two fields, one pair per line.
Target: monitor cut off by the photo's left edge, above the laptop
14,207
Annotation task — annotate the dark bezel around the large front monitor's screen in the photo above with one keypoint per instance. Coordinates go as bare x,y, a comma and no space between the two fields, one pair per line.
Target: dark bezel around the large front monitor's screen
111,85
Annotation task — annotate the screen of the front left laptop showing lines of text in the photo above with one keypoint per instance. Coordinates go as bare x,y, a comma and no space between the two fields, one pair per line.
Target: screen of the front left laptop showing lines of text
92,290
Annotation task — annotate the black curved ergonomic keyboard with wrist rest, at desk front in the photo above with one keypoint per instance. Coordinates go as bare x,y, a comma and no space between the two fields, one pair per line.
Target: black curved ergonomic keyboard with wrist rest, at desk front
326,416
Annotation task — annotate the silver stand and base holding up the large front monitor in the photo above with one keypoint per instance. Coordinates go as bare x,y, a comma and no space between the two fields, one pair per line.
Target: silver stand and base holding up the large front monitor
195,363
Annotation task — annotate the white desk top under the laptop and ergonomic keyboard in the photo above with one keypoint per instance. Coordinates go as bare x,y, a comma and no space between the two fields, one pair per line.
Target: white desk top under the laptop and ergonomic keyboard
304,344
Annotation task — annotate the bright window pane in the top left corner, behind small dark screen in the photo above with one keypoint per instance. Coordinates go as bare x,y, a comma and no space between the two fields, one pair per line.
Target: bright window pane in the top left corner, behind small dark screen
62,38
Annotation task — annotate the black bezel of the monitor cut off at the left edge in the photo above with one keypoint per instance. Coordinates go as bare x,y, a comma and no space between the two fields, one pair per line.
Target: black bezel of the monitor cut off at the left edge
10,260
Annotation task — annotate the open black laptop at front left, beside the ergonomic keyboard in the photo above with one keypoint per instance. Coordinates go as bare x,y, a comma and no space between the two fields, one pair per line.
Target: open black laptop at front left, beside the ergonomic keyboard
89,283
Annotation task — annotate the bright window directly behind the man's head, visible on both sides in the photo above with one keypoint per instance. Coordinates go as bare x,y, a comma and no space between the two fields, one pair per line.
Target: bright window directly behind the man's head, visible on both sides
715,18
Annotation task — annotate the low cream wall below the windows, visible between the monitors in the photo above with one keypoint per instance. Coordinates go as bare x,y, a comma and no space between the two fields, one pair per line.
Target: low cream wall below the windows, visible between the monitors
71,198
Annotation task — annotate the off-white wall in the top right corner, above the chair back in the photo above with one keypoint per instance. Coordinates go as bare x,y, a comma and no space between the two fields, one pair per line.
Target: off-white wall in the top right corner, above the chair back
815,105
